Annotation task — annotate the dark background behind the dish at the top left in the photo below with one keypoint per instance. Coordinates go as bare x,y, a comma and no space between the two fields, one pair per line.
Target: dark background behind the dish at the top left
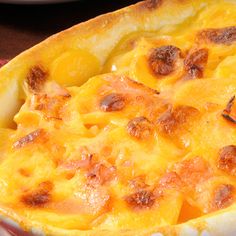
22,26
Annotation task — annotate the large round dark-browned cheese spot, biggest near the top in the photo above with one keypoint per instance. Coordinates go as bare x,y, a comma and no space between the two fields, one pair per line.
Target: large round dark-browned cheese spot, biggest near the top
162,60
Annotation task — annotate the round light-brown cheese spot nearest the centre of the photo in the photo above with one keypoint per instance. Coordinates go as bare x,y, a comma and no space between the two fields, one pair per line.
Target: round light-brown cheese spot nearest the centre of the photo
140,128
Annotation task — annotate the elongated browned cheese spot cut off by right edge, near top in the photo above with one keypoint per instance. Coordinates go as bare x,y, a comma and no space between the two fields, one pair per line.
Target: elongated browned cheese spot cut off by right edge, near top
225,35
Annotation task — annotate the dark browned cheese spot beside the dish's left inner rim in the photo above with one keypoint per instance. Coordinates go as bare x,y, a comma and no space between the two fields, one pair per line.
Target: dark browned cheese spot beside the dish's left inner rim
36,77
